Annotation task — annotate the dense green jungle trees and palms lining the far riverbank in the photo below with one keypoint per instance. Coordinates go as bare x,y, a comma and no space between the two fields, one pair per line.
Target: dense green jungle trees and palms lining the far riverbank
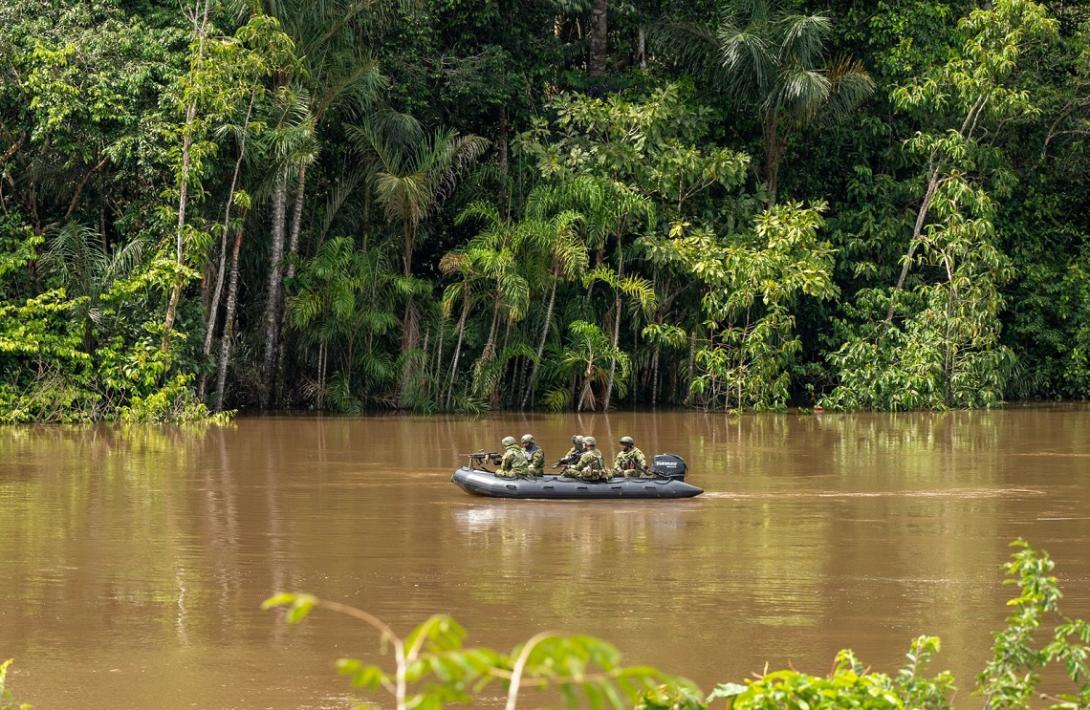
566,204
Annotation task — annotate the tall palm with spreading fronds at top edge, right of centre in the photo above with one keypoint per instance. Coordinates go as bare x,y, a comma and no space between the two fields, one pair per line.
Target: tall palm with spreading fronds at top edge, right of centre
767,58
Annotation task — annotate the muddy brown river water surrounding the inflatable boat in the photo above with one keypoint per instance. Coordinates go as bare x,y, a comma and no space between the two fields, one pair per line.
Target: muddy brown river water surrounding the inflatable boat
132,562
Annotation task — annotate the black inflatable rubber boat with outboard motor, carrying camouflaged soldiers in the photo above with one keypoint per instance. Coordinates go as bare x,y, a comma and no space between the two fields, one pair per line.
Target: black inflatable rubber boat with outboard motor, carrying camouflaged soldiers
669,484
